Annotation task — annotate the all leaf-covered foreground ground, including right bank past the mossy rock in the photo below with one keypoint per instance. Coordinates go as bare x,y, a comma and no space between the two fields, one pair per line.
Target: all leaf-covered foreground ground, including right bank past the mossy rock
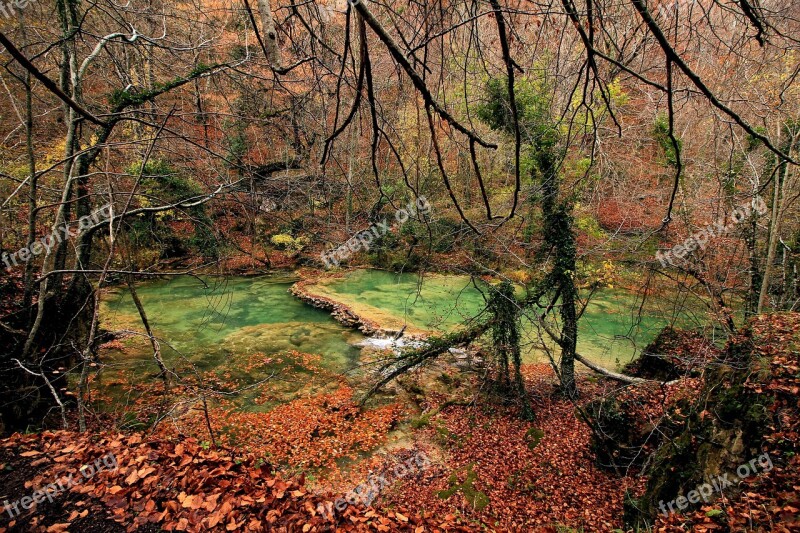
484,468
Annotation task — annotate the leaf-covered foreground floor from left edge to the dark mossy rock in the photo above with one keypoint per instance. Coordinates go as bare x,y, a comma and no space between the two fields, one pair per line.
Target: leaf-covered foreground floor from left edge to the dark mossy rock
485,469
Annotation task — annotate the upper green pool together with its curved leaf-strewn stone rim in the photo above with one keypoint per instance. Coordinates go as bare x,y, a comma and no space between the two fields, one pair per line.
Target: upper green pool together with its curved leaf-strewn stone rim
616,324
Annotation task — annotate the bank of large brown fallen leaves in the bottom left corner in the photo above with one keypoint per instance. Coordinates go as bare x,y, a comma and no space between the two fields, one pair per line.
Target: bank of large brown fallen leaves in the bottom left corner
165,485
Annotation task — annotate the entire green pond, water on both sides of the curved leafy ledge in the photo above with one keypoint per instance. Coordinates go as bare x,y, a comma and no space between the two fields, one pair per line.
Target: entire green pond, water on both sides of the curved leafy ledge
240,330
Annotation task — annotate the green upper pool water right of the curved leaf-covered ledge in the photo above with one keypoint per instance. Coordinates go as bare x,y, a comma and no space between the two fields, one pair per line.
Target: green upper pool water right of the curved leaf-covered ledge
611,330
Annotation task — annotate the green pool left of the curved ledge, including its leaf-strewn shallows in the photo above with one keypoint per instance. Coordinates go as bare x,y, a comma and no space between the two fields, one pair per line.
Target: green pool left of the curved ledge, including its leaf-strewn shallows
233,331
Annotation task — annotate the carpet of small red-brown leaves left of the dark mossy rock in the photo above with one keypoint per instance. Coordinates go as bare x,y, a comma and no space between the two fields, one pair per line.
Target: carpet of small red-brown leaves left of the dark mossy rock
537,475
